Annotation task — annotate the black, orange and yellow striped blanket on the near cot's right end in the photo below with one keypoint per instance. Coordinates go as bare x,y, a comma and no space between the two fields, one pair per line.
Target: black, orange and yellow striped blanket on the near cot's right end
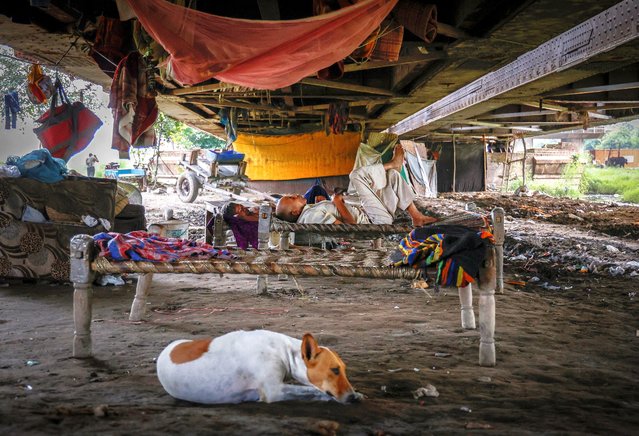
457,252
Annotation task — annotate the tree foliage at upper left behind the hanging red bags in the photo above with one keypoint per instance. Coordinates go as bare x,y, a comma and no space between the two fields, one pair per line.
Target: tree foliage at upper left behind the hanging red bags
13,76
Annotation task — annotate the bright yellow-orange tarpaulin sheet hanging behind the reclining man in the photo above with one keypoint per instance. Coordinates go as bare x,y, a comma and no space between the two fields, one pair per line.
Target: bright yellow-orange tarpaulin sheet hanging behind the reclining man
289,157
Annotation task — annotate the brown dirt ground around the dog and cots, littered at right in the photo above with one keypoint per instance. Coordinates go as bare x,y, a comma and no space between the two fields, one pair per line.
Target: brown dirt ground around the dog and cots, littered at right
567,343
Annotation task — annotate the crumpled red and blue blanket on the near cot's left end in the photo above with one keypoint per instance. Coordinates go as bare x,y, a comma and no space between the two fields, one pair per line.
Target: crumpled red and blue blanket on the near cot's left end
143,246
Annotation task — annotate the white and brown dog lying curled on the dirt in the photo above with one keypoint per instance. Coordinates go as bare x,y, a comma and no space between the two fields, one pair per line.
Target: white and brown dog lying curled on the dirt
252,366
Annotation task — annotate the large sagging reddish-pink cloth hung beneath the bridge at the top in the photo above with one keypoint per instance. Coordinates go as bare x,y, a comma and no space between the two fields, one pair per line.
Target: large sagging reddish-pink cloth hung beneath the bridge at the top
254,53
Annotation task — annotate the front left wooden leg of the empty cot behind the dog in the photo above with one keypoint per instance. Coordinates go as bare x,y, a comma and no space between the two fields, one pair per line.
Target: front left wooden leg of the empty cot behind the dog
81,254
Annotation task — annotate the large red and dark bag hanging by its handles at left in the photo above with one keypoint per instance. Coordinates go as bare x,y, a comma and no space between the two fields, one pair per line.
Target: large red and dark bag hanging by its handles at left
67,128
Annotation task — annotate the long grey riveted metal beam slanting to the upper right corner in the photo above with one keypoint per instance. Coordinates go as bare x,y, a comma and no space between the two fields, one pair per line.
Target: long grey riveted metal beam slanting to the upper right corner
603,32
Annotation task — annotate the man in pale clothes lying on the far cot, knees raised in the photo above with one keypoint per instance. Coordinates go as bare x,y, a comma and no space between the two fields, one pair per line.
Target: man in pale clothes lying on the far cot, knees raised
381,191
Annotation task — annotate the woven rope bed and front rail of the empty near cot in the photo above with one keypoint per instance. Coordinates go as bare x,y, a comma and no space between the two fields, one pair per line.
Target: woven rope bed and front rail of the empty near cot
296,262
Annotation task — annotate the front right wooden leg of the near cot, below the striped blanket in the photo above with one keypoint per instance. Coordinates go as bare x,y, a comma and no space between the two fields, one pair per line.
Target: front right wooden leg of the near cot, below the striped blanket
487,282
